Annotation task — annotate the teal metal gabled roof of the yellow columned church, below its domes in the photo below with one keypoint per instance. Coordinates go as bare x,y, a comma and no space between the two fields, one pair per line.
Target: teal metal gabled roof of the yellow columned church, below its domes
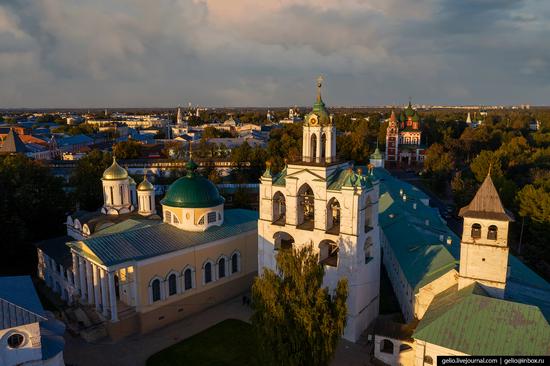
161,238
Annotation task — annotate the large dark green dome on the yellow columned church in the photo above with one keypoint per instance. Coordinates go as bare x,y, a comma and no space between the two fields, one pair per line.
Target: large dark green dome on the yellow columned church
192,191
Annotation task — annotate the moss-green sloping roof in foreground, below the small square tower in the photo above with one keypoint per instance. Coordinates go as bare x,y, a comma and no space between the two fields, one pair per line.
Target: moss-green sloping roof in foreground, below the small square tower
471,322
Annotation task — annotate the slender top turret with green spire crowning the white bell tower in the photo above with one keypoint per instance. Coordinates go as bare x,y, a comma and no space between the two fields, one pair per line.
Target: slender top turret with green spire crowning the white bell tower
319,133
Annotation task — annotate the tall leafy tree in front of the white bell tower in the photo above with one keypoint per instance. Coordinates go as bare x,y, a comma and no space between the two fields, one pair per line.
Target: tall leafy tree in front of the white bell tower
297,322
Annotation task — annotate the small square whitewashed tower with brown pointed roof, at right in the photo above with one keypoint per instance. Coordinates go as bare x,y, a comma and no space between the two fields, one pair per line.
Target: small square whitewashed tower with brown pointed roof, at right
484,245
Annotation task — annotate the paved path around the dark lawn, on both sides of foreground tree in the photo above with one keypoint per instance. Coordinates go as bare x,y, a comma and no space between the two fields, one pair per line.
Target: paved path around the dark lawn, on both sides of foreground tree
134,350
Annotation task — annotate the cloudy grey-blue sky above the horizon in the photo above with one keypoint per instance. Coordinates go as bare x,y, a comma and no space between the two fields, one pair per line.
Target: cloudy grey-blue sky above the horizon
126,53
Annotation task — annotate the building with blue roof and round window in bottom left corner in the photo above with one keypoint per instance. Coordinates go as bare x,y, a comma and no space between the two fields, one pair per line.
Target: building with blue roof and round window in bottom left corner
29,336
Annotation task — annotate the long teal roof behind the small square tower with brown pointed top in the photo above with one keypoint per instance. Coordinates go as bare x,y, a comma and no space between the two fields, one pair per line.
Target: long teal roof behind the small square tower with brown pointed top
406,227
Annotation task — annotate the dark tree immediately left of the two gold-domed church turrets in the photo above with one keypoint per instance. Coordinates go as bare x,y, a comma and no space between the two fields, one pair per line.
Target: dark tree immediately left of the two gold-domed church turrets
86,179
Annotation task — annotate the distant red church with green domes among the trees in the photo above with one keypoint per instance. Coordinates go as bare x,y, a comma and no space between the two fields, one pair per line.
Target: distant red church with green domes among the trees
403,139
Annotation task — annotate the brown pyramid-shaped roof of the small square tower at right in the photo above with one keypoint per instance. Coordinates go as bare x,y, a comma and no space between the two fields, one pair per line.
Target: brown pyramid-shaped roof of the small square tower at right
486,204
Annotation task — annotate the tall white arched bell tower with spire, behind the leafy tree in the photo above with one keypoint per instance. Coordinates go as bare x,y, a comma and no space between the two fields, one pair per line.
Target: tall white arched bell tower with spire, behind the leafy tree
325,202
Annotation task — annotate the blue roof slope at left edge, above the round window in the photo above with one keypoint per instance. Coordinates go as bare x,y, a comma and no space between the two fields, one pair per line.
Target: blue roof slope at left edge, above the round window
19,303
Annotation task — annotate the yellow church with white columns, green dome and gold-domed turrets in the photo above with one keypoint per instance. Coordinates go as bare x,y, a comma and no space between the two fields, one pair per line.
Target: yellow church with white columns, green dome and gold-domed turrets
140,271
